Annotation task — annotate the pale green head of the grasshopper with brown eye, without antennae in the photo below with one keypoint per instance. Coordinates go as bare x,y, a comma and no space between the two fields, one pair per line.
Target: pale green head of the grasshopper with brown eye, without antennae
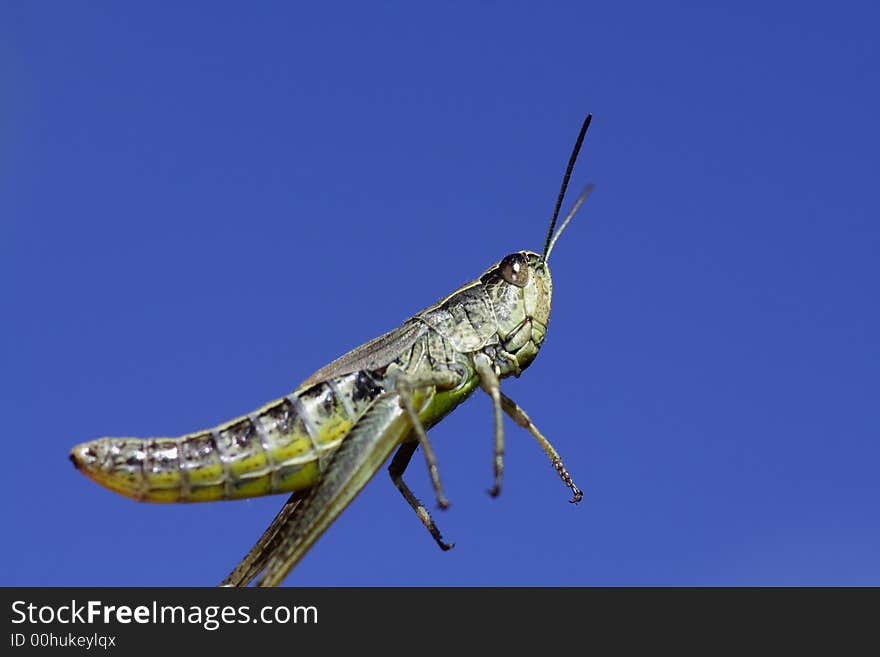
520,289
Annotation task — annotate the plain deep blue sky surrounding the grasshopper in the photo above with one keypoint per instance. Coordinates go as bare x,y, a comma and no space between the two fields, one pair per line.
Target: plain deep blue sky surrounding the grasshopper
200,206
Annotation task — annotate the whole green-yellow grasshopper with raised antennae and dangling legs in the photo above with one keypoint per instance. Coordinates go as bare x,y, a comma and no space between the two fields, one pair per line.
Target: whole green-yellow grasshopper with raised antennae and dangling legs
327,438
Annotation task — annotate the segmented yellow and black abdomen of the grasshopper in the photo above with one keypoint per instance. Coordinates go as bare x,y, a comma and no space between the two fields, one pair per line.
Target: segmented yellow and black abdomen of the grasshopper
279,448
